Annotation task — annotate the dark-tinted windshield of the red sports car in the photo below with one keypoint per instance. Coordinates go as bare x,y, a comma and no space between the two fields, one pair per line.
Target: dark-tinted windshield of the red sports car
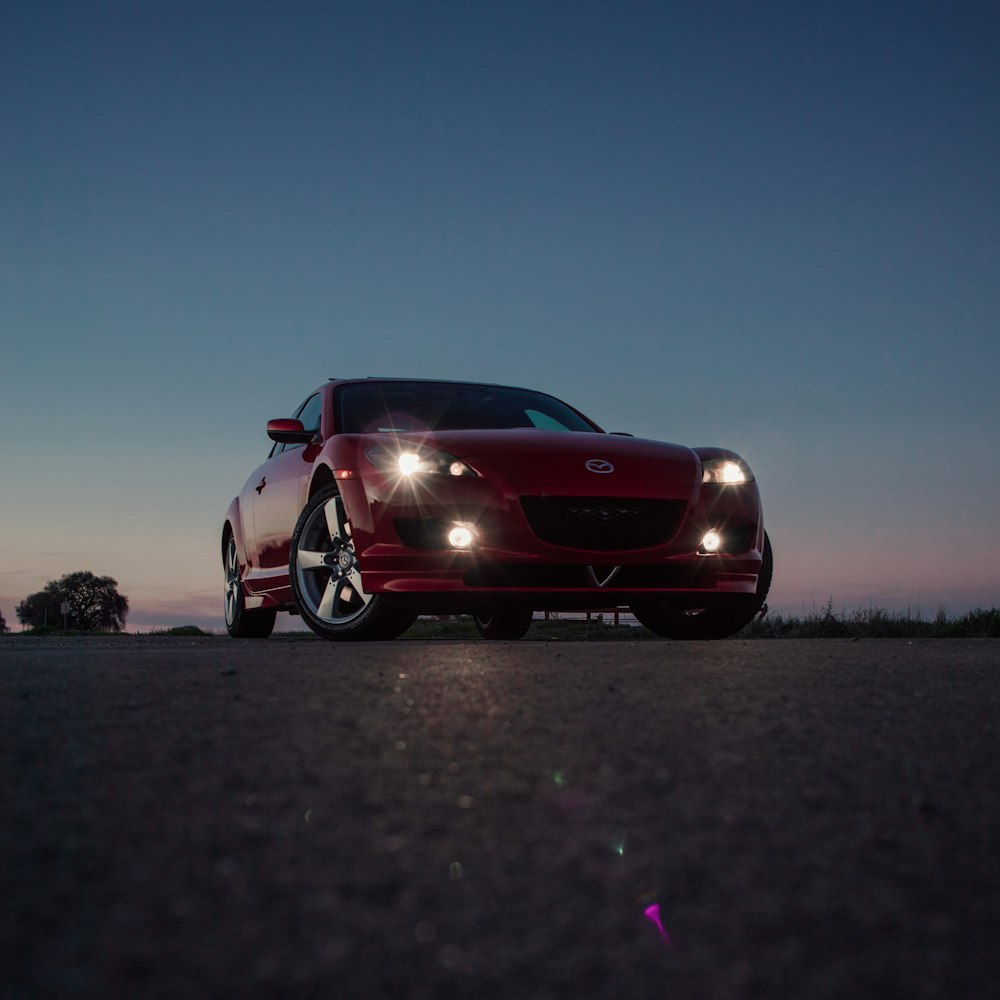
400,407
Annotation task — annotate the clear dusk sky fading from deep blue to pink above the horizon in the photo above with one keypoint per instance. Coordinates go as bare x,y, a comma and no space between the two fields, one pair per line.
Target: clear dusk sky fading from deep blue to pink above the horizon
770,226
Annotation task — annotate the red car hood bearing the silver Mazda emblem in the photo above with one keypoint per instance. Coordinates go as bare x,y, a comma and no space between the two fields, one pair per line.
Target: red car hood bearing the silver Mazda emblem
548,462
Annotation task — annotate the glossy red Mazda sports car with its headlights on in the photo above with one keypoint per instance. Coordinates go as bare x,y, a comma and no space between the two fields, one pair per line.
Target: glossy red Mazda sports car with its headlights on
383,499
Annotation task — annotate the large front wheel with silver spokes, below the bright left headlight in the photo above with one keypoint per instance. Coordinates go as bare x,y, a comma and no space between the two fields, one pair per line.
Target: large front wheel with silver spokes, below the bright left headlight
326,581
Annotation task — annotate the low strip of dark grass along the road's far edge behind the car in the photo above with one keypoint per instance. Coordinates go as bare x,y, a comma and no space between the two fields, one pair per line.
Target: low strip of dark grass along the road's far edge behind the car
823,623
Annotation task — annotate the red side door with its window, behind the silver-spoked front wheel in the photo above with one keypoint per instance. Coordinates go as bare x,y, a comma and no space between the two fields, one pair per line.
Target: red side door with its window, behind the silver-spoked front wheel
279,495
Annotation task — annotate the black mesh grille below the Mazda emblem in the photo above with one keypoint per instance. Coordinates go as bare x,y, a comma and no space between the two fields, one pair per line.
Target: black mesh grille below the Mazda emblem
603,524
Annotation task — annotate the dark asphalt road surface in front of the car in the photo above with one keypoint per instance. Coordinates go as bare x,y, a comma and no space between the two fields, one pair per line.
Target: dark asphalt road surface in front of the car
292,818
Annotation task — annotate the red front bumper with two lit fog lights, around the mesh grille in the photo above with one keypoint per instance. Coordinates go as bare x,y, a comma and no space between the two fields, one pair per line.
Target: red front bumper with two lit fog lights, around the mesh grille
401,541
